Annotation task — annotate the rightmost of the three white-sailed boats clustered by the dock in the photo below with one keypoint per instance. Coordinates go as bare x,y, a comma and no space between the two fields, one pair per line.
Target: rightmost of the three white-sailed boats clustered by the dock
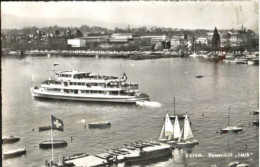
186,137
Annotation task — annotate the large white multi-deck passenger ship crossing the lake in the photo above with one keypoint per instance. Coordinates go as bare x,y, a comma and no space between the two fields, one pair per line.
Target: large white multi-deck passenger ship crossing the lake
82,86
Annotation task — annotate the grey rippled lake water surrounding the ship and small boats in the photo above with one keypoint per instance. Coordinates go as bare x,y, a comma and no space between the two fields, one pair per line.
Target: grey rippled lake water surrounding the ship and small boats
223,86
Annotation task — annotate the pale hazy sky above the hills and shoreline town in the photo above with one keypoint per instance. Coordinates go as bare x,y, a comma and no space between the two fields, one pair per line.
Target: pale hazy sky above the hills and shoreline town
187,15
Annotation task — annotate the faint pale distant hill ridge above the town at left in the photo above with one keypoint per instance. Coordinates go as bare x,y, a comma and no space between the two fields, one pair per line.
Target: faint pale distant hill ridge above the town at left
11,21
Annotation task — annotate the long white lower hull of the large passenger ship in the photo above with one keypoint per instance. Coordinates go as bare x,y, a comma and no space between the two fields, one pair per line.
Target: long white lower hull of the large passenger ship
91,98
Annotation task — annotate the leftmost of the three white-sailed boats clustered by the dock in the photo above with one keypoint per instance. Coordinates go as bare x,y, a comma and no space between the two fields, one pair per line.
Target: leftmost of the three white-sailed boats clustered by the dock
167,130
